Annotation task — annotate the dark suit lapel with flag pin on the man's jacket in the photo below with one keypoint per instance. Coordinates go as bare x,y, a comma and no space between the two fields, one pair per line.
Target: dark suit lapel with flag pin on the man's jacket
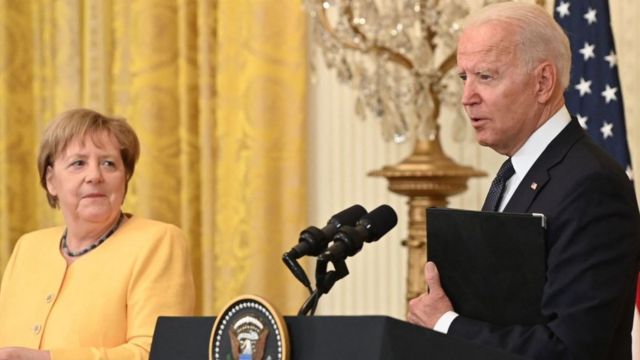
538,176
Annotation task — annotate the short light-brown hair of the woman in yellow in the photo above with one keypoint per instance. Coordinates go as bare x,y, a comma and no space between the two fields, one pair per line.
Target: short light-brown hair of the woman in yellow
76,124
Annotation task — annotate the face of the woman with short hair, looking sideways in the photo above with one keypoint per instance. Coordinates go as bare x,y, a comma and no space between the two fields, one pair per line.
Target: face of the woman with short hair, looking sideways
88,178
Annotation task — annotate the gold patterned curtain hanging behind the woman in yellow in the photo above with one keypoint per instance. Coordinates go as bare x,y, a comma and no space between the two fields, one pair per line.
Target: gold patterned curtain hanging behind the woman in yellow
216,93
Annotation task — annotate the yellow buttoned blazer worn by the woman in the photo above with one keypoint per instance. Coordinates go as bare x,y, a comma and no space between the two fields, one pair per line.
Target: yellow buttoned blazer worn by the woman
105,304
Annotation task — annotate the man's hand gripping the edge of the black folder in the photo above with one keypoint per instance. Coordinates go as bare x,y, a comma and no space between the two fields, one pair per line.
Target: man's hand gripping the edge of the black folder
426,309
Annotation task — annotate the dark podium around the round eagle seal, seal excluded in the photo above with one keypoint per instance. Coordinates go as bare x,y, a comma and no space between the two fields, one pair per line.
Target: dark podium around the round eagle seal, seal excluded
327,337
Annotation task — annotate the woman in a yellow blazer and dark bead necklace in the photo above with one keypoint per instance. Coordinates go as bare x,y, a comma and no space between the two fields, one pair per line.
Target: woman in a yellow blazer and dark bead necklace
94,288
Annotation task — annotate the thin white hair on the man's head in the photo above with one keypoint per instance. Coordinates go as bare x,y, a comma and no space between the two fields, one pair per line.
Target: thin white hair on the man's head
538,35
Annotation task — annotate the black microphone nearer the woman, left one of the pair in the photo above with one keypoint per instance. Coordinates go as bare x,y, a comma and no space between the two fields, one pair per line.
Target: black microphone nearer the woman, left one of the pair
314,241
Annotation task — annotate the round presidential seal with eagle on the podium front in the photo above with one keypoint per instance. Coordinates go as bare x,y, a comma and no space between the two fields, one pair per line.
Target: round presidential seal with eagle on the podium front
248,328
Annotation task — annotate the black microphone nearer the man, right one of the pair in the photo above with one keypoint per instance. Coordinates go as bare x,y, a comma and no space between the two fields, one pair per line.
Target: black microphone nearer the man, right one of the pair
348,240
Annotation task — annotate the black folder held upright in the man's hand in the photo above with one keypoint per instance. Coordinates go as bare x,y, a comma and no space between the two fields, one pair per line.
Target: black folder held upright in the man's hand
492,265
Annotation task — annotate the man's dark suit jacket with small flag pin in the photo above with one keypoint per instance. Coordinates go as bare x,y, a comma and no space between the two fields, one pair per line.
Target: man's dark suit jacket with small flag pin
593,244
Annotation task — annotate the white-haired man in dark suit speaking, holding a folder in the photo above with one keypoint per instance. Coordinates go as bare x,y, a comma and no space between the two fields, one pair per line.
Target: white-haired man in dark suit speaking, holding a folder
514,61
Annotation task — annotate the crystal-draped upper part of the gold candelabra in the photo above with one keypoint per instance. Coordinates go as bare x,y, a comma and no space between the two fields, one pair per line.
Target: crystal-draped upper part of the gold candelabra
397,55
